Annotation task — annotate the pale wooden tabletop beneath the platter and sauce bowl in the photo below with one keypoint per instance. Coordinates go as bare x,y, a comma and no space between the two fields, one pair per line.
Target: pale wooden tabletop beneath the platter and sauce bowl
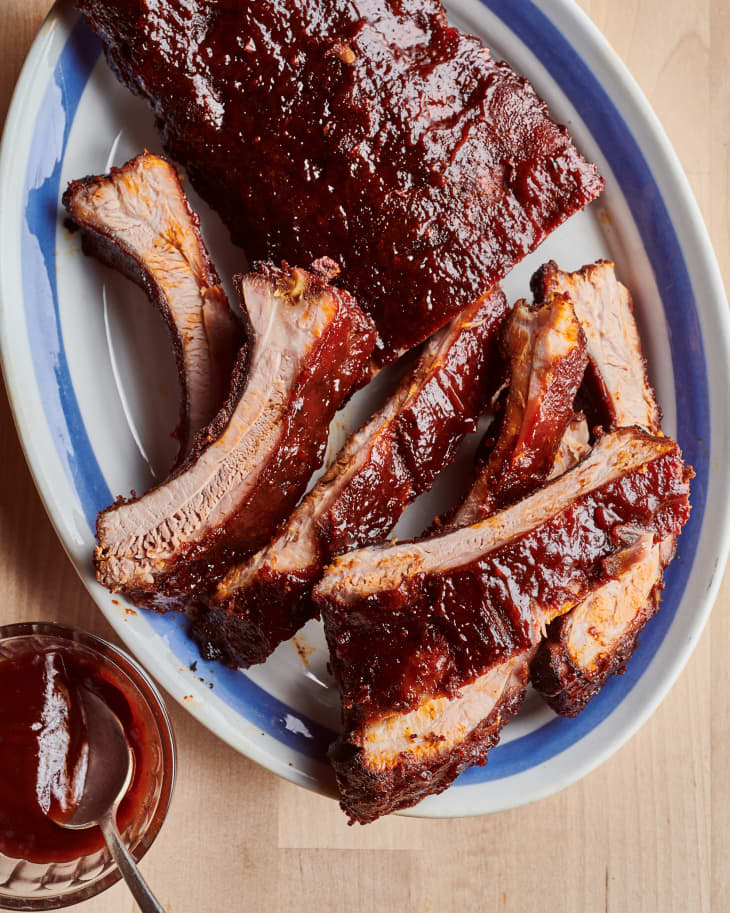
648,831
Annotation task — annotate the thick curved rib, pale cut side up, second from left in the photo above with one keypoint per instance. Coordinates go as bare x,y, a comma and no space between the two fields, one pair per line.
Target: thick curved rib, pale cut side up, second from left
309,343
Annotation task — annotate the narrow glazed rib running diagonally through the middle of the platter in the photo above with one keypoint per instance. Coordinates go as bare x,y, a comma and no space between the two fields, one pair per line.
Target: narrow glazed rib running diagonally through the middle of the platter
392,459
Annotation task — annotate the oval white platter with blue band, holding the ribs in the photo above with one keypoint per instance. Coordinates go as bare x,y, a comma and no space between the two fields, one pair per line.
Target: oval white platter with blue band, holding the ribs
93,394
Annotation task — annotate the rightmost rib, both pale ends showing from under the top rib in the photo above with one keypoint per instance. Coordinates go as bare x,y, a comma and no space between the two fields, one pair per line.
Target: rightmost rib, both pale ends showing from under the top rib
585,647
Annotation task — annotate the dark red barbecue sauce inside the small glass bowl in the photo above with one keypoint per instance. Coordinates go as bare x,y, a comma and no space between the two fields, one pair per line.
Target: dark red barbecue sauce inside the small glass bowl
43,749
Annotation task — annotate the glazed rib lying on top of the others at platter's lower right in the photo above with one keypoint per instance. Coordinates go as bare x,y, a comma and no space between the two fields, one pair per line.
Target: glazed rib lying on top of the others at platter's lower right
409,620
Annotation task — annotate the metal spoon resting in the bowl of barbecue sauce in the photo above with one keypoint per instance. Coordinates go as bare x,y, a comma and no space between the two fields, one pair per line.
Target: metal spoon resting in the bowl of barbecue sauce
108,777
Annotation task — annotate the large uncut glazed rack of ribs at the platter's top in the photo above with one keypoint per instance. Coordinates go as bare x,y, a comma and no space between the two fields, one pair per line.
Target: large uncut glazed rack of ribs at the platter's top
371,132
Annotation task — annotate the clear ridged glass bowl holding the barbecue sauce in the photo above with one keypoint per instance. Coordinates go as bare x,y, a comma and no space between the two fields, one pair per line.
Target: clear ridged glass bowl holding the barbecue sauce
28,885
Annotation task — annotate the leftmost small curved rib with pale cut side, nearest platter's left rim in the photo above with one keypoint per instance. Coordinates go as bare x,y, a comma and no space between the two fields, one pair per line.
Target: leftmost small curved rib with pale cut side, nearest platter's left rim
138,220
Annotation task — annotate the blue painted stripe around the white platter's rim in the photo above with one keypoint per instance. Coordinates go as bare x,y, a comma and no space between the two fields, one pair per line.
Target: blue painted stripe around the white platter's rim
611,133
